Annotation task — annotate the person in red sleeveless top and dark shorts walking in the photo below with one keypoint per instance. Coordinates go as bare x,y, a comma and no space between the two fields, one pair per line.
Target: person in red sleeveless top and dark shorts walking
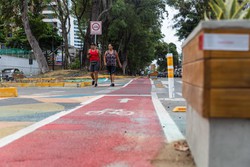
94,59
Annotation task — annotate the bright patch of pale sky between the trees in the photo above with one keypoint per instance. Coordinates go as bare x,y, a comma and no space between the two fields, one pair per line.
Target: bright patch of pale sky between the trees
168,31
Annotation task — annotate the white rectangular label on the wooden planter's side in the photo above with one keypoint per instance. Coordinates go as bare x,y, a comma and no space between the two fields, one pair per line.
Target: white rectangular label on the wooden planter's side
226,42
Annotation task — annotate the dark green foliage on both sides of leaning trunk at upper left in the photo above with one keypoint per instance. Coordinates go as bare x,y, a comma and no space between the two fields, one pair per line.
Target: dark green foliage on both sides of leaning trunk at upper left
12,33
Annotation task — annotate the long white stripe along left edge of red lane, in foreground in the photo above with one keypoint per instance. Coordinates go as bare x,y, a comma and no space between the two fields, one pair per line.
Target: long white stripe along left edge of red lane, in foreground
17,135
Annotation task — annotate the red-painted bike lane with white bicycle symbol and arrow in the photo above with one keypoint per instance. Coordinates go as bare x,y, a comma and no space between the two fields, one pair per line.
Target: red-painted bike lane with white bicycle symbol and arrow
118,130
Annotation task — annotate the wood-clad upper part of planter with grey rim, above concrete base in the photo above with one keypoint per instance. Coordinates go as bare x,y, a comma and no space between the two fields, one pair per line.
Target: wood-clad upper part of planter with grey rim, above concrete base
216,69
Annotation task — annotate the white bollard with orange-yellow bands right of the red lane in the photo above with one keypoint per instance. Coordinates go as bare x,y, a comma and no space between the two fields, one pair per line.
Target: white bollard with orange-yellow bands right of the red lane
170,64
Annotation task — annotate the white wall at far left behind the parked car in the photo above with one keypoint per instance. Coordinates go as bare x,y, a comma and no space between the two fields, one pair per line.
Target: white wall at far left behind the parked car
20,63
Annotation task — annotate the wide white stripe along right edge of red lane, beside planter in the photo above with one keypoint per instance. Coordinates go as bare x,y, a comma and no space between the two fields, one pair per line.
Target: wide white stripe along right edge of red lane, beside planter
170,129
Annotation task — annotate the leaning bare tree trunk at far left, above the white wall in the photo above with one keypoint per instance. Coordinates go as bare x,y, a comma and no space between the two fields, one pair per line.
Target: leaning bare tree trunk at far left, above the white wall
41,60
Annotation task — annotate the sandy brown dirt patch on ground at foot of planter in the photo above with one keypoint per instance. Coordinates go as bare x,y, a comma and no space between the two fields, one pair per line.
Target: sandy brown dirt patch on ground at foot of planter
170,157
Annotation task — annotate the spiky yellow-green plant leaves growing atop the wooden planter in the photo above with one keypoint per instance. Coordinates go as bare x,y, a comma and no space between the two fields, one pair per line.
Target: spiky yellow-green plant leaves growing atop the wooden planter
229,9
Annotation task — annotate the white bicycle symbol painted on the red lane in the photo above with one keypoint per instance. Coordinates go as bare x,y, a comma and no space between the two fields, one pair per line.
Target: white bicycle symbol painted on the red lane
109,111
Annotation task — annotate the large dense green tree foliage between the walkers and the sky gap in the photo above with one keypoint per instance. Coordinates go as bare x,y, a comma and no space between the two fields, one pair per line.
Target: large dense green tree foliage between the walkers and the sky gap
134,29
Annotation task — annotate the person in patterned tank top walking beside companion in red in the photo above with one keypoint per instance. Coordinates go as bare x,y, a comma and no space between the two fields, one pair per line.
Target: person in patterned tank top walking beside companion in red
110,58
